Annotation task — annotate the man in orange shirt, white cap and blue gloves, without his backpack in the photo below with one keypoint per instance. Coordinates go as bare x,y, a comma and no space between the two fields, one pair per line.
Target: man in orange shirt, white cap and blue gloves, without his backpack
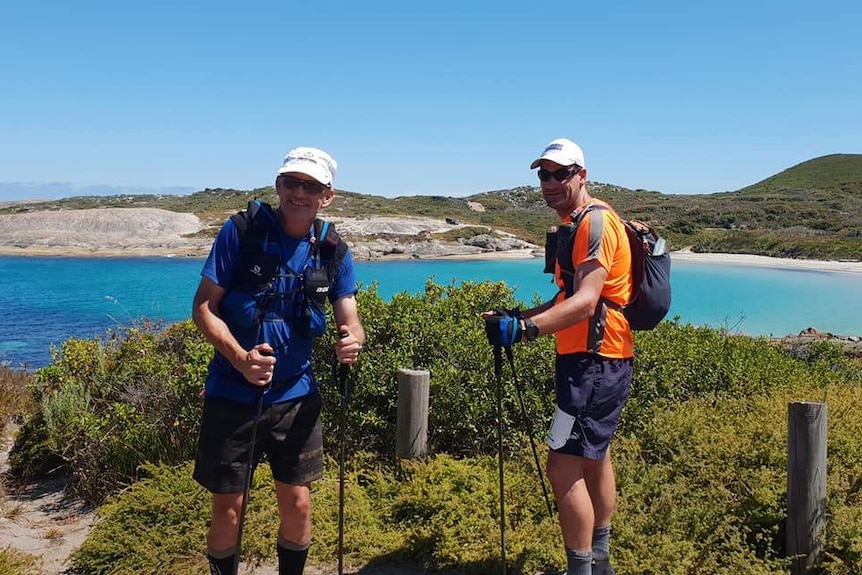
594,356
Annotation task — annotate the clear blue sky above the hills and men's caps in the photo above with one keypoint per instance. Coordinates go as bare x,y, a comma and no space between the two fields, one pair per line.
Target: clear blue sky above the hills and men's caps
446,98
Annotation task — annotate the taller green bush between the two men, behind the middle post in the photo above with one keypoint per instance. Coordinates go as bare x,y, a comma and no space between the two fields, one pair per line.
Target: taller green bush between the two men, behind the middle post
441,330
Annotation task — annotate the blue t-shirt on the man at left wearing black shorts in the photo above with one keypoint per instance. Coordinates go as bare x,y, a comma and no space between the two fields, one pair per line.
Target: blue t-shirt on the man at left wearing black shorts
280,315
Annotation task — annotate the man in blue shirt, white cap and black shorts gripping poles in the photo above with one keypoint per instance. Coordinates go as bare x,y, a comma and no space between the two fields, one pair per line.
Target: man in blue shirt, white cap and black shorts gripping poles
260,303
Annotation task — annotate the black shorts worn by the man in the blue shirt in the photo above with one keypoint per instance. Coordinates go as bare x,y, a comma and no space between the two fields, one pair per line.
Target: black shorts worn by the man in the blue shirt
289,433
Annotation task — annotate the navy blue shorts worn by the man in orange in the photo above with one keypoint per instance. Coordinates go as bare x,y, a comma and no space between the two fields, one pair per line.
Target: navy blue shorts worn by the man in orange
594,390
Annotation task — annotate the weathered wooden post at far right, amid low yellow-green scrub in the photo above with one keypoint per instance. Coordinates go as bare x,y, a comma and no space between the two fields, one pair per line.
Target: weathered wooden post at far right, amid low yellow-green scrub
806,484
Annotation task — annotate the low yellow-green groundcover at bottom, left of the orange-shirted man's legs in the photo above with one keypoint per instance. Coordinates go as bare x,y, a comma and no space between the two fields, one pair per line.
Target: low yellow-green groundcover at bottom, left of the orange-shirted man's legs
441,514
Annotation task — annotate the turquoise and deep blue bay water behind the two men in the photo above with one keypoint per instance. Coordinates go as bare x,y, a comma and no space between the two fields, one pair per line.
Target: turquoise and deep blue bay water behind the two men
44,301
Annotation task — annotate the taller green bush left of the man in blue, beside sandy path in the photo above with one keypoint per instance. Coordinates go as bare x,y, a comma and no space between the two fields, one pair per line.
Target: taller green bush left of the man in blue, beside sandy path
109,405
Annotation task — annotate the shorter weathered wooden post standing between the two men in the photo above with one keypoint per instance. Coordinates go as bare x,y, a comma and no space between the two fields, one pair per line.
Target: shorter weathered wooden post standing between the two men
411,434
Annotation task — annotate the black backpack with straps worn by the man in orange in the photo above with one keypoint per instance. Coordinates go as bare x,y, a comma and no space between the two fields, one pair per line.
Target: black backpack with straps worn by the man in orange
650,268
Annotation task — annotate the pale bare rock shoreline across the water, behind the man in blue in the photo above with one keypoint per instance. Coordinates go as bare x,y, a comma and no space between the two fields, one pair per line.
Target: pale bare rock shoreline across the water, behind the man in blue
151,231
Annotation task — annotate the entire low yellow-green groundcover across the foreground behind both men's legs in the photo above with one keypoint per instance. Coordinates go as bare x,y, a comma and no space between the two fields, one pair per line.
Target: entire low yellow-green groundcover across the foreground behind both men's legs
701,490
